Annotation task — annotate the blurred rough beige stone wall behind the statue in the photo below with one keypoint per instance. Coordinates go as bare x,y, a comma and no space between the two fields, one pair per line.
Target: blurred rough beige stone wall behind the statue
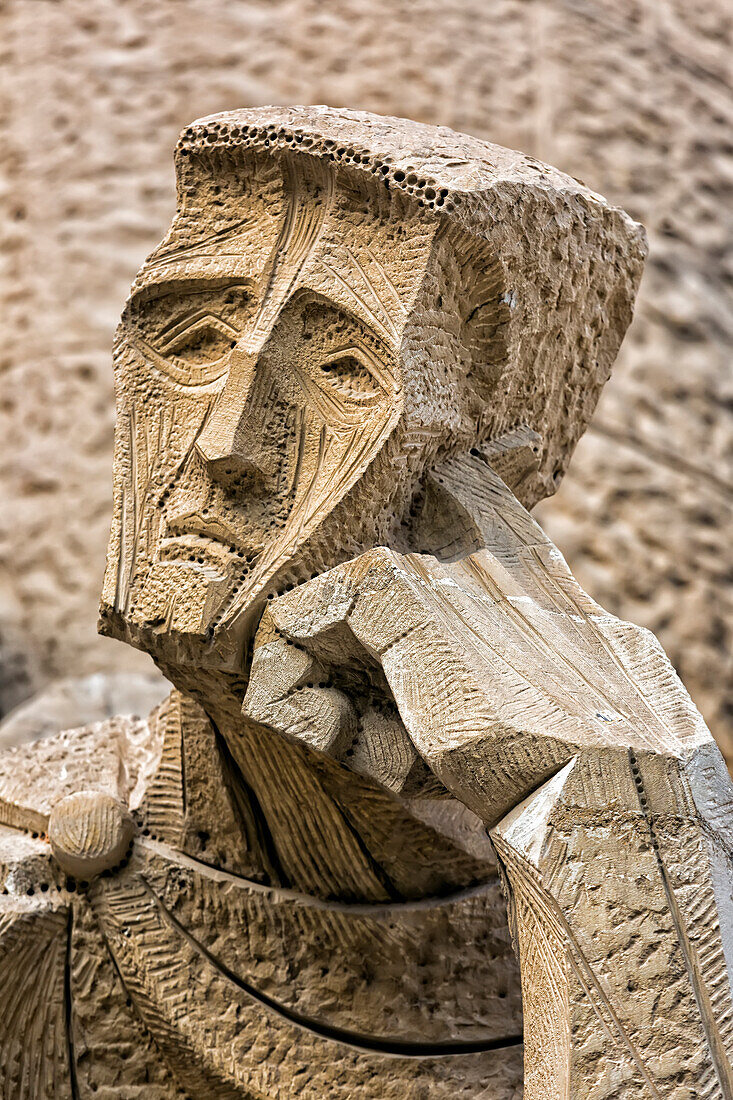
631,97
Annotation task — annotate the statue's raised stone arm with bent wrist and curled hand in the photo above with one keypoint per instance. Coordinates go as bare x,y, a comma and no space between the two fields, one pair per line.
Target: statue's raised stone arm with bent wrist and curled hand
570,734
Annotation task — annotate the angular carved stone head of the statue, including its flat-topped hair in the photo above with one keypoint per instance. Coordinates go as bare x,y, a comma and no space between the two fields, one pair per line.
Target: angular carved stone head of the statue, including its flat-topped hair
341,302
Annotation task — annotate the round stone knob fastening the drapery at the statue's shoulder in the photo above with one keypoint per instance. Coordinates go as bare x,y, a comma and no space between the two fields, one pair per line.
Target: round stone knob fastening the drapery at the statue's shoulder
90,832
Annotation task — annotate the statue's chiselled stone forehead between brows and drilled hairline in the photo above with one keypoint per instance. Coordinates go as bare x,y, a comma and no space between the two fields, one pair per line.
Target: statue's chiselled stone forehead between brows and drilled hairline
296,224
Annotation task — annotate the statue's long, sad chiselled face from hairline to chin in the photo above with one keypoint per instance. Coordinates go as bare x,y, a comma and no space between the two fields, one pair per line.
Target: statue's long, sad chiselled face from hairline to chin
259,376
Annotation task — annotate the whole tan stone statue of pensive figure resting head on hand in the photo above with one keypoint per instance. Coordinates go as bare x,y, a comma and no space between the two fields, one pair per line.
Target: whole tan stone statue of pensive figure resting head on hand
364,351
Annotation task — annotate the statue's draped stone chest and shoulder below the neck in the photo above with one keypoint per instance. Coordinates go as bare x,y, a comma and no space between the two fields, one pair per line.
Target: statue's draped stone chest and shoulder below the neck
250,991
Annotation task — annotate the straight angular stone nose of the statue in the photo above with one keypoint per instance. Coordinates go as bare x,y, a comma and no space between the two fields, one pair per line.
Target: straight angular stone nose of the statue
231,443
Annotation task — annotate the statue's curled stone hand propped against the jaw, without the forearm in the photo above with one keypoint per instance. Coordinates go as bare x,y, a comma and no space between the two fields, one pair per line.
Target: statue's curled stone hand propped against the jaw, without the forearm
501,667
